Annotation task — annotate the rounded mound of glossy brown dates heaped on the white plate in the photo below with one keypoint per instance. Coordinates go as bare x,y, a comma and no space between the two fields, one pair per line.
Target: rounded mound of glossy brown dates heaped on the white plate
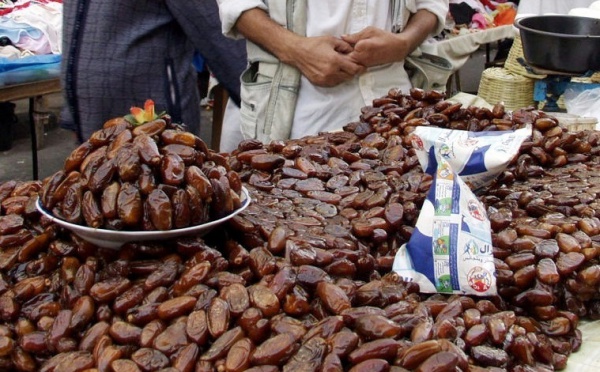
152,176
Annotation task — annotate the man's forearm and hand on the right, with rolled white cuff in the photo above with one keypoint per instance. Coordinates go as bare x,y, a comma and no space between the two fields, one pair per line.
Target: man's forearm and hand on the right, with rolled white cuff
373,46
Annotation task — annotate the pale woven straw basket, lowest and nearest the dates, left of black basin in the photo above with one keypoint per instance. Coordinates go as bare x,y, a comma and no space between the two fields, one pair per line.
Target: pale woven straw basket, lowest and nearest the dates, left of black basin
499,85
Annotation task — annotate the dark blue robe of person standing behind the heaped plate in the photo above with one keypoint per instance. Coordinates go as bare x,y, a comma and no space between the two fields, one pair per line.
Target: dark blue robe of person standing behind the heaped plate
118,54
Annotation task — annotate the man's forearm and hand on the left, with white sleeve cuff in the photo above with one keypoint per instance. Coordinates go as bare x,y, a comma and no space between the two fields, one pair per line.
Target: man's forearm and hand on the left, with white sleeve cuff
323,60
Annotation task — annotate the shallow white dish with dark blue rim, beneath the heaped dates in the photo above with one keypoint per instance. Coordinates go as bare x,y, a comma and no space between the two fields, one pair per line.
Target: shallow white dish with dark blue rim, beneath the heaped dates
115,239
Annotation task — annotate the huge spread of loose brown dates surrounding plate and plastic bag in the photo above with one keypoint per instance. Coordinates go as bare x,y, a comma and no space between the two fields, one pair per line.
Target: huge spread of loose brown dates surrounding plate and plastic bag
301,280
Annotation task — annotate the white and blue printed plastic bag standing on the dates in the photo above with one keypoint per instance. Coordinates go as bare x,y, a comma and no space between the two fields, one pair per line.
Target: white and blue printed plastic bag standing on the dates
450,250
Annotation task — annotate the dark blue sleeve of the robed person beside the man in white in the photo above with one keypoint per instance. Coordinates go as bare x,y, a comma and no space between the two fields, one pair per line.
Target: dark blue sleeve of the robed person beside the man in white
226,57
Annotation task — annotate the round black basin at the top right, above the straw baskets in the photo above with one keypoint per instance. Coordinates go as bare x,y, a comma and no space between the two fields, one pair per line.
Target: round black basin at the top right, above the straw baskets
562,43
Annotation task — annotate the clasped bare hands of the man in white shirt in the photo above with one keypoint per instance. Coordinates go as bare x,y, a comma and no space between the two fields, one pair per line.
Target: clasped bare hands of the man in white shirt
328,61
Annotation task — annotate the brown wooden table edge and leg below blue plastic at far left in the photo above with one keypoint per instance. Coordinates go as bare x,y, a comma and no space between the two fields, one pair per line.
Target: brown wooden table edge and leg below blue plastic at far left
31,90
